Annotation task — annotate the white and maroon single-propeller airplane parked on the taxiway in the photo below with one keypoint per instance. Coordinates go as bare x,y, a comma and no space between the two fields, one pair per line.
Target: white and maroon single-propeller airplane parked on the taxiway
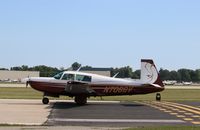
84,85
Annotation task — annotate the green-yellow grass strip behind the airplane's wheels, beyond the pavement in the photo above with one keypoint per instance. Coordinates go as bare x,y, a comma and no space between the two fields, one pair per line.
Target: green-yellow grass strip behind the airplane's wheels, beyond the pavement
167,95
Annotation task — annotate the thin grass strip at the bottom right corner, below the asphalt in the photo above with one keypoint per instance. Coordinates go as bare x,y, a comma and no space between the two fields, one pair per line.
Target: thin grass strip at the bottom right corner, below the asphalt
167,128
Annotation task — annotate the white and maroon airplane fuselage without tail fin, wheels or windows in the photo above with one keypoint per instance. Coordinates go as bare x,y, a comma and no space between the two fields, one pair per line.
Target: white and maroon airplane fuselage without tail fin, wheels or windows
101,86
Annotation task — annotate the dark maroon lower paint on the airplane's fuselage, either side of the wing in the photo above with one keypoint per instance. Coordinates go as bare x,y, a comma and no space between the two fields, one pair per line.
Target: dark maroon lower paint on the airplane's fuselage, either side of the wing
103,89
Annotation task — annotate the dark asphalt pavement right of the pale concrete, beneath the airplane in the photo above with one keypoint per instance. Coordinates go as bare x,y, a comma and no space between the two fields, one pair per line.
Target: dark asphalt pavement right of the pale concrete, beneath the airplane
118,114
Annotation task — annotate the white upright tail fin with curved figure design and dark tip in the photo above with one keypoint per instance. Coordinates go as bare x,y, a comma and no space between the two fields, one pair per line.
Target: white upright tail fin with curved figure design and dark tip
149,73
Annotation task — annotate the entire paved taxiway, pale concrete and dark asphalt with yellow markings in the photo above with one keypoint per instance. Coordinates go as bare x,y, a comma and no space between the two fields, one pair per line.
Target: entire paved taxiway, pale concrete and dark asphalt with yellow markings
98,113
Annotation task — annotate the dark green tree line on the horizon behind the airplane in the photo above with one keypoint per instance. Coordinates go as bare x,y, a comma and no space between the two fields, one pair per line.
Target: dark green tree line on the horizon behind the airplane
180,75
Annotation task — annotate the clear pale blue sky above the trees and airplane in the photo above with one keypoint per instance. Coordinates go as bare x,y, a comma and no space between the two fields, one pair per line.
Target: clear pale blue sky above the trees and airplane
100,33
